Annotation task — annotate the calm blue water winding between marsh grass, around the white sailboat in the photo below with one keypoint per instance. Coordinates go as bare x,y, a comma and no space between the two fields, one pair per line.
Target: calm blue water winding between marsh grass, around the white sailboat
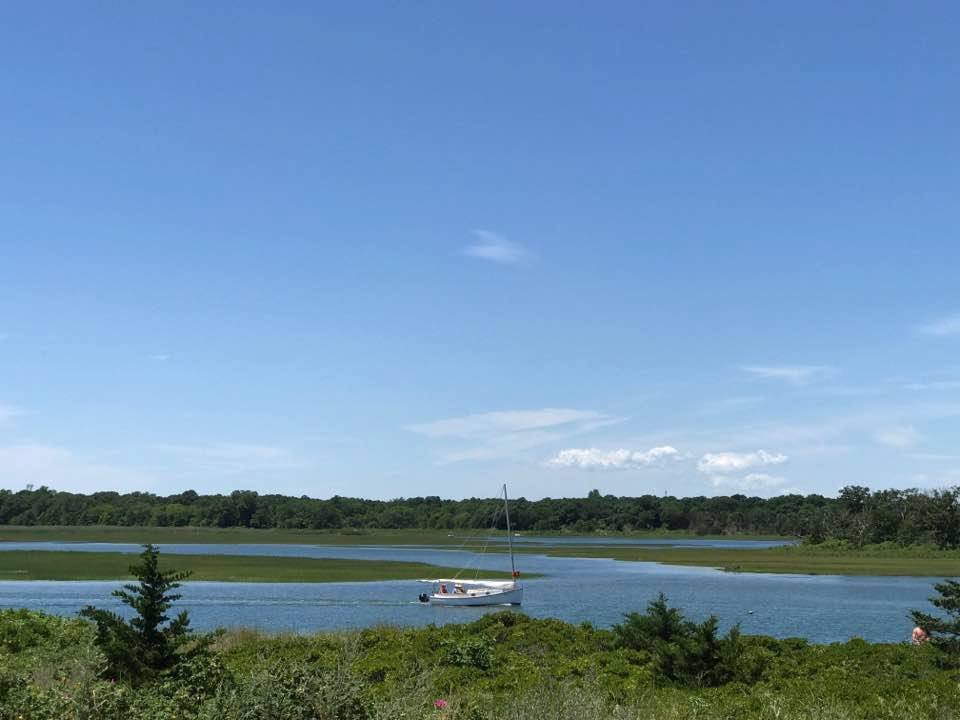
820,608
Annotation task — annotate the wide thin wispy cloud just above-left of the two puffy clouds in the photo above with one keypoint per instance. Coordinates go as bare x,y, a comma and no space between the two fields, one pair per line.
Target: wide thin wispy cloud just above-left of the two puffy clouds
509,432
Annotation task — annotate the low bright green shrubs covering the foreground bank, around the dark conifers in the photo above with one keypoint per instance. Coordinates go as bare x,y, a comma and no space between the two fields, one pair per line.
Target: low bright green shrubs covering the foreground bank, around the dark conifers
51,668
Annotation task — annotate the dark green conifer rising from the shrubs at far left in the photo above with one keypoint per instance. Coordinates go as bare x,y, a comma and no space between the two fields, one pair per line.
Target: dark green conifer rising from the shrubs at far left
147,644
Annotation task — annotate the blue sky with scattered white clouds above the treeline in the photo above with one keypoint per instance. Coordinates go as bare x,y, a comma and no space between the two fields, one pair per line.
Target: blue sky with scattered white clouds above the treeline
391,249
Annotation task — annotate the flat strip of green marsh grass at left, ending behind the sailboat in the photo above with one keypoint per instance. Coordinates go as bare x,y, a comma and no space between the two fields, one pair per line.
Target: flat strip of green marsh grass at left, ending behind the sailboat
44,565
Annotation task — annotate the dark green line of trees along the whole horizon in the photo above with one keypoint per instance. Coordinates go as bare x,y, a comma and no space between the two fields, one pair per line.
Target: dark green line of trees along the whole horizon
856,515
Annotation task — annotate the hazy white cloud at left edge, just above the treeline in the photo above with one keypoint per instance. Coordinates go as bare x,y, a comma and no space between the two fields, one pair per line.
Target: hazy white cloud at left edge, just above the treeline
62,469
